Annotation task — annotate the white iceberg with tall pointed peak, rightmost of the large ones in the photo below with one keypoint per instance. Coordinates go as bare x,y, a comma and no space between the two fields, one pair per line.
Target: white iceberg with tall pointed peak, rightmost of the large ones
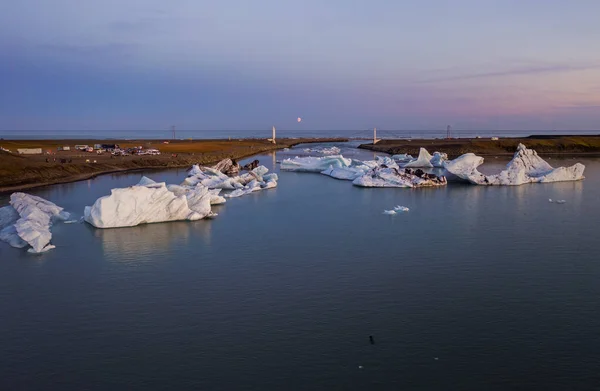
525,167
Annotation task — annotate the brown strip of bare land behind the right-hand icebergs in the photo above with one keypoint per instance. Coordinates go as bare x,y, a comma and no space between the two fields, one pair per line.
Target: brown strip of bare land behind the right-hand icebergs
544,145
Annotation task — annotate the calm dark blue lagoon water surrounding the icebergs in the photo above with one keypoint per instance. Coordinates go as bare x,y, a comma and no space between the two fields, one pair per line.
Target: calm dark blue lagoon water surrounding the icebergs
476,288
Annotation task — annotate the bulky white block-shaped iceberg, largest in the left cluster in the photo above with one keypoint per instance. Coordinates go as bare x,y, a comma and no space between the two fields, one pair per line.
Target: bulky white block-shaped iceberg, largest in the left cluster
148,203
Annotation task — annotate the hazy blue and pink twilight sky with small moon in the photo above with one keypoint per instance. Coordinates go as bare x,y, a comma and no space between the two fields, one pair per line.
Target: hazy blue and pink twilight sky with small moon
351,64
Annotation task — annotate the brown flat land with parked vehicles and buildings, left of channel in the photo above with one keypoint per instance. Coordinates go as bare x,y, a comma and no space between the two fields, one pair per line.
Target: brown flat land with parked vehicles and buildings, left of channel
25,171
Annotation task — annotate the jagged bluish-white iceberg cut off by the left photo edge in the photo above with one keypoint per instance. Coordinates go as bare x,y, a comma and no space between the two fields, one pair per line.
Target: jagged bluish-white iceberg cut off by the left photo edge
27,221
